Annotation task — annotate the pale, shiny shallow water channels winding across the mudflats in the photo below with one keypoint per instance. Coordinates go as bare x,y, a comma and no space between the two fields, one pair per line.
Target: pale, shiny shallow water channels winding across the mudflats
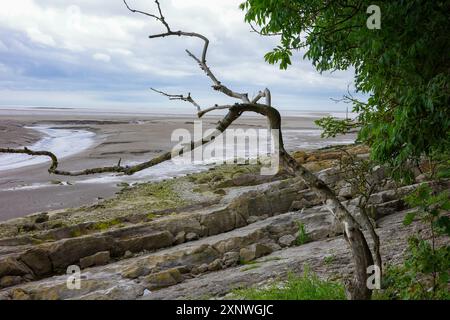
68,142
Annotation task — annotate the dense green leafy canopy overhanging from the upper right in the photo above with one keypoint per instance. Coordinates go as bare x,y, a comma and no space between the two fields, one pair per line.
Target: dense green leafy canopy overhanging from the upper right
403,66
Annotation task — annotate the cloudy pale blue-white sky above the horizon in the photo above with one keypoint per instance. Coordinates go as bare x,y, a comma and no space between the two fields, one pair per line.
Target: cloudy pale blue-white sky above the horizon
96,54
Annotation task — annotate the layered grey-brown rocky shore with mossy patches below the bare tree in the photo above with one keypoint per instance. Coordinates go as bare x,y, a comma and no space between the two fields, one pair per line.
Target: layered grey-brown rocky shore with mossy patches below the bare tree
199,236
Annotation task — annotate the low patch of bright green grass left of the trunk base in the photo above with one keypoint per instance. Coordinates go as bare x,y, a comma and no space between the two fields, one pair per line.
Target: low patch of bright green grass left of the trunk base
305,287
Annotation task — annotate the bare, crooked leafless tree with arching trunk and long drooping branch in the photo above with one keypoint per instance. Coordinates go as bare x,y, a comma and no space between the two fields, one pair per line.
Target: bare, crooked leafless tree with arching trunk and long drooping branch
355,238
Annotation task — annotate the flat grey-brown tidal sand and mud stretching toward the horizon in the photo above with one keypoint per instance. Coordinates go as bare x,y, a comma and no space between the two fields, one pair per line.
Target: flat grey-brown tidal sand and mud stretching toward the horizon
130,137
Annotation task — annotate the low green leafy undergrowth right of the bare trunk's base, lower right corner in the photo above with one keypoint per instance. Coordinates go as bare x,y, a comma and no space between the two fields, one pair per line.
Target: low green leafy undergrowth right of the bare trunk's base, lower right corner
425,271
